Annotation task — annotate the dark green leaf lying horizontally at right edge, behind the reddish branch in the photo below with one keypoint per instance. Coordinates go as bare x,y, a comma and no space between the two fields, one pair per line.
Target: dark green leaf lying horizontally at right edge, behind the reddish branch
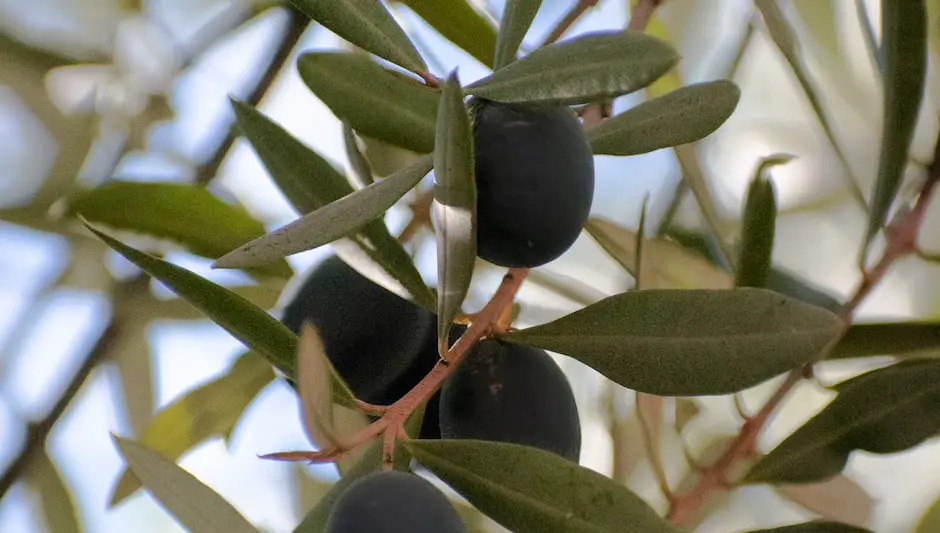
866,340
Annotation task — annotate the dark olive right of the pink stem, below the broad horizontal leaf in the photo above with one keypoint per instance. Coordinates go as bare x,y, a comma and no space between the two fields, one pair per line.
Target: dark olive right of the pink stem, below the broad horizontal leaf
511,393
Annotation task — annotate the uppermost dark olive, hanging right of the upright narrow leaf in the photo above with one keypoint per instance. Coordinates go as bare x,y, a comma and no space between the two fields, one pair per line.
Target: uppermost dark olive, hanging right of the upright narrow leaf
535,181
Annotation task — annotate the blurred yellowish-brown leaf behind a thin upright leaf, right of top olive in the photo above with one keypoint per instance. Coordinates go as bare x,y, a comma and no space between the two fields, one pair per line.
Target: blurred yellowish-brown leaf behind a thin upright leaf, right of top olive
667,265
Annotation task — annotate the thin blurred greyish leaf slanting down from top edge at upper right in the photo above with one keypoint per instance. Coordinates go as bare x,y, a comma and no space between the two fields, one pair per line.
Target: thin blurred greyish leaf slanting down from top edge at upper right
784,37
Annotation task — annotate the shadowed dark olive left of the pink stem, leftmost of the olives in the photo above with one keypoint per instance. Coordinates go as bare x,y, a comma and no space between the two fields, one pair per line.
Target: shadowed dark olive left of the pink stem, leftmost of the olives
373,337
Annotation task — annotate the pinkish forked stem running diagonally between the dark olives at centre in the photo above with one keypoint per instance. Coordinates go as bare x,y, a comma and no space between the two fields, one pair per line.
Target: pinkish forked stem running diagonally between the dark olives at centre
391,424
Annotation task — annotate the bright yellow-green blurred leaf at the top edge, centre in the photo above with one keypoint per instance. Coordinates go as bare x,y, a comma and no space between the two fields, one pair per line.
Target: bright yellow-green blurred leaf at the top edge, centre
460,24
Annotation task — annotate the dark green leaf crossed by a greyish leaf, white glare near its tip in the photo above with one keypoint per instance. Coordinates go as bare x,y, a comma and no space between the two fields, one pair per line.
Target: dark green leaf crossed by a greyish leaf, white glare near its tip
309,182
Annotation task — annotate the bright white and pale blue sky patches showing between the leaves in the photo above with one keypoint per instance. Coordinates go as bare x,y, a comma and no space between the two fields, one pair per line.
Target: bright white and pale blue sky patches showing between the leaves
44,335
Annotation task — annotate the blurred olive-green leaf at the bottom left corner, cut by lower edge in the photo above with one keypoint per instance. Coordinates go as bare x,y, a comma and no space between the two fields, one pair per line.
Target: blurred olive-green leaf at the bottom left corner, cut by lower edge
58,506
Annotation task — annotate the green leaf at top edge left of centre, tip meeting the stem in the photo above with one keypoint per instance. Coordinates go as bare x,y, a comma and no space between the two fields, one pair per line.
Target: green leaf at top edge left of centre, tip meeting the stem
368,25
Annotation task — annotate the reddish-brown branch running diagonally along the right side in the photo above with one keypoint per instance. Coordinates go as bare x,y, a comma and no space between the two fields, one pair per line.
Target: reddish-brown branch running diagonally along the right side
900,241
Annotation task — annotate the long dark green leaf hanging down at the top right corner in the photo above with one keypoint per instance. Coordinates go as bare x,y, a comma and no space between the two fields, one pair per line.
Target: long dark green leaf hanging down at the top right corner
904,49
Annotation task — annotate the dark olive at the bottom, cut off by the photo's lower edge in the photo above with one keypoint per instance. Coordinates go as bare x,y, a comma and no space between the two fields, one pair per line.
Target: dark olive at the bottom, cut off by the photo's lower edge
393,502
